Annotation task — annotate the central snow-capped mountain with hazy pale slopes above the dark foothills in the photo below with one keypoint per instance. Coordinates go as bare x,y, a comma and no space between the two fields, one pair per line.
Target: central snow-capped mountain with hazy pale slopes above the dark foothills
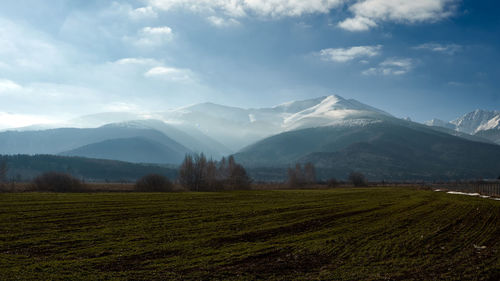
237,127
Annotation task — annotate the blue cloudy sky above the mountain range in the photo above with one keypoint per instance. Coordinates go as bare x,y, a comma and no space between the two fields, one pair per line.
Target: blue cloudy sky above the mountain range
420,59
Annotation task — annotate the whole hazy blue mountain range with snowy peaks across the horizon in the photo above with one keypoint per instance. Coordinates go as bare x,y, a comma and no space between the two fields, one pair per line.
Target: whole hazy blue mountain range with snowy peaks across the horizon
338,135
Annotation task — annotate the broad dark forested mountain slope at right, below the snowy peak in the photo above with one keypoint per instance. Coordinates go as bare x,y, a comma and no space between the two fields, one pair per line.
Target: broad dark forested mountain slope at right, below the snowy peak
382,150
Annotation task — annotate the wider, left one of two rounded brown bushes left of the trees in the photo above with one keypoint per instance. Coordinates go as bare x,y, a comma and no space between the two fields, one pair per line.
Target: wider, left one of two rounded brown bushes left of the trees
57,182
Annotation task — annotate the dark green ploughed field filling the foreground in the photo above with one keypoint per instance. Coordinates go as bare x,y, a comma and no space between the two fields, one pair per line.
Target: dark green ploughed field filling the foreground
337,234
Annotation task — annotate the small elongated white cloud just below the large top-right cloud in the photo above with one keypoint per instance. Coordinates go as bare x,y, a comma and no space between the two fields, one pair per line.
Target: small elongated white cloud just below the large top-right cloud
348,54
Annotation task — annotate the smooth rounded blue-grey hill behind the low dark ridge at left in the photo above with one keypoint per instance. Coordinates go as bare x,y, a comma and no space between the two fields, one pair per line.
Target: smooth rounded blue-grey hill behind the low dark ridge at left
134,150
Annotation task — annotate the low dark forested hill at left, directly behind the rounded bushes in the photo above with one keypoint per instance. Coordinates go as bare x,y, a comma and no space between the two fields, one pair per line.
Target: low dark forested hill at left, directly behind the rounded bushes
26,167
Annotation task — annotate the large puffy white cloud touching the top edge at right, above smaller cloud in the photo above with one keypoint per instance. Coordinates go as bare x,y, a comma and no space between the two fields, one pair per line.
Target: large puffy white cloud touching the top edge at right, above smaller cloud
369,13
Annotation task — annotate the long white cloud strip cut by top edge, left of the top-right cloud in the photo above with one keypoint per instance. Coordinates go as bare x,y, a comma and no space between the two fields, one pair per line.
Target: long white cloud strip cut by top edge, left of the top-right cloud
241,8
